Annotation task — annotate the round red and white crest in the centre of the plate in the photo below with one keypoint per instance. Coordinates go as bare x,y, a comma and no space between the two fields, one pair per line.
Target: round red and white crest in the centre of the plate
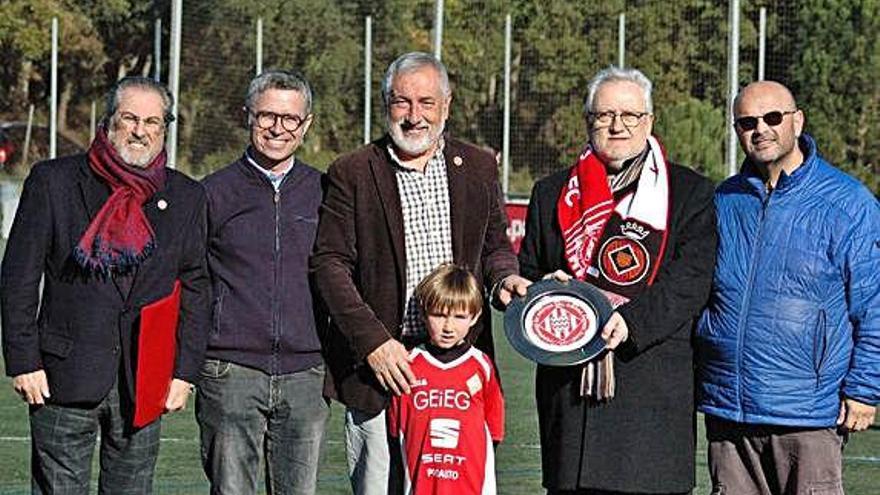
560,323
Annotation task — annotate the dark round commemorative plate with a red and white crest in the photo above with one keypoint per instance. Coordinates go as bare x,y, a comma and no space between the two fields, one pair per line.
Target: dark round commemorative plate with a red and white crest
558,323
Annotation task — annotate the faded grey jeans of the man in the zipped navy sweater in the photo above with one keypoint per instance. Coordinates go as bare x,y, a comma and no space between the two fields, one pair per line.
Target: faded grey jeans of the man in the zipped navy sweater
244,413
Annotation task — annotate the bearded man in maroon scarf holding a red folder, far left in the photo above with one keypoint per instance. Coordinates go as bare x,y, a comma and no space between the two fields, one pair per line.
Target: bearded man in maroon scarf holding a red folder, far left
109,232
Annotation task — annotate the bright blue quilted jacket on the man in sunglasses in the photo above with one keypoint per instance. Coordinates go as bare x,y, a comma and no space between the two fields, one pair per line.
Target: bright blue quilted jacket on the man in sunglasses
793,322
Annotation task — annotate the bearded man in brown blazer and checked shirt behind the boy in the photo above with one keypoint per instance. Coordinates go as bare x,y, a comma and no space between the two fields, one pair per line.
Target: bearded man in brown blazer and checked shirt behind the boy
393,211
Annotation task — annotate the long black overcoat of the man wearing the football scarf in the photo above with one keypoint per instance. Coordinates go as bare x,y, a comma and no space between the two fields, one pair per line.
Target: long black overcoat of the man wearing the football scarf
643,439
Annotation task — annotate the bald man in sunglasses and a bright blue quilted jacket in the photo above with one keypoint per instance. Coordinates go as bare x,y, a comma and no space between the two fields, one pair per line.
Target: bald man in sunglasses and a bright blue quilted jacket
789,346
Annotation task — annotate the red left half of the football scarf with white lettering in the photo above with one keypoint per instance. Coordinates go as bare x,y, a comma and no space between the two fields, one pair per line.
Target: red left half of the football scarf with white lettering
584,207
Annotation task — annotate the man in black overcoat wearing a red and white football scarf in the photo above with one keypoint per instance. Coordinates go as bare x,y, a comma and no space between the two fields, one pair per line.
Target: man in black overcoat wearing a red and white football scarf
641,229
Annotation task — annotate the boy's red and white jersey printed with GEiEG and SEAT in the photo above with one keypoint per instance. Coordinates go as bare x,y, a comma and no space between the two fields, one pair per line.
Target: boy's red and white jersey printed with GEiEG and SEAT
447,423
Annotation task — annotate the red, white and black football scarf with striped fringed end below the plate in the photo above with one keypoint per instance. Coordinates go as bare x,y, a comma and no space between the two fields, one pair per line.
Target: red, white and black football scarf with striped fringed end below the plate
614,240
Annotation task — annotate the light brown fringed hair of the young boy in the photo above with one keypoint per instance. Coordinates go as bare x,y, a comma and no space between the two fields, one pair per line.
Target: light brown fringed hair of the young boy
450,288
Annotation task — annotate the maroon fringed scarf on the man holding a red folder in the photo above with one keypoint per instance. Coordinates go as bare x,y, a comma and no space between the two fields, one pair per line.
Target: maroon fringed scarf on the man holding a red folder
120,236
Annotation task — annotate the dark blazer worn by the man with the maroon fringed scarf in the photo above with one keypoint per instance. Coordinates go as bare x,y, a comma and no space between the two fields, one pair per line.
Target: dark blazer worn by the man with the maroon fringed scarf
86,328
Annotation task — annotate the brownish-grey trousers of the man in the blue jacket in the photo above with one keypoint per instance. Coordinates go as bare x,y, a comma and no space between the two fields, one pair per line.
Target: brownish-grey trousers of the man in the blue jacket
774,460
